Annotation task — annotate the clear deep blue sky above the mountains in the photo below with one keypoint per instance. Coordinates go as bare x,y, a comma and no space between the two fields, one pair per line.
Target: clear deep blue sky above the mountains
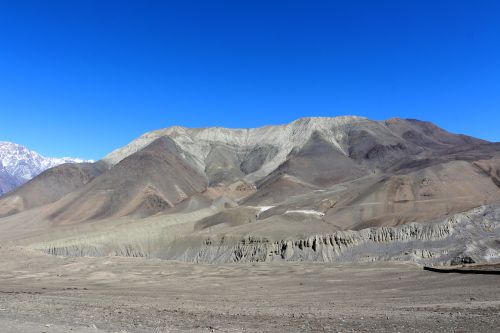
84,77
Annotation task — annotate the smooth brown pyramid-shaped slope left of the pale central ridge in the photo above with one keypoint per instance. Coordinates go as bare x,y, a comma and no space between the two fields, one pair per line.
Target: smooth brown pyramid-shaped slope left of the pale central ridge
143,184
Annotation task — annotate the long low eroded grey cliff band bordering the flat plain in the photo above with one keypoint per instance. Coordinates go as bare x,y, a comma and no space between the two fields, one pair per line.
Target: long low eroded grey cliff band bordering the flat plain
473,236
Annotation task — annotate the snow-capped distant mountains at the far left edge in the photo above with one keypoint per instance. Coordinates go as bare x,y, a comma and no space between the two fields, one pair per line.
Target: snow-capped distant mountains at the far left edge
19,164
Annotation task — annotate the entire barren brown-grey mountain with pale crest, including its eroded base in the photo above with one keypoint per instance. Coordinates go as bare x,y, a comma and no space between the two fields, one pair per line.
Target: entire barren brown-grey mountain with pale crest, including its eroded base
218,195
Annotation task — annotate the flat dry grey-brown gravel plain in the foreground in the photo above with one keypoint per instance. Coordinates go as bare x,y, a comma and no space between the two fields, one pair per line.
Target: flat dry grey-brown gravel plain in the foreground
42,293
